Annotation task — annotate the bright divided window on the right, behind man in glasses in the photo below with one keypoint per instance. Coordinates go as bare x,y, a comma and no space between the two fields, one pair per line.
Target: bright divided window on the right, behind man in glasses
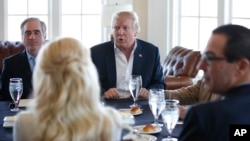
197,18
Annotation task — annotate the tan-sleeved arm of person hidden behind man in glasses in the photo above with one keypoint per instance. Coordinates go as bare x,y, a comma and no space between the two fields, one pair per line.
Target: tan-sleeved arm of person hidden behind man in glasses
190,95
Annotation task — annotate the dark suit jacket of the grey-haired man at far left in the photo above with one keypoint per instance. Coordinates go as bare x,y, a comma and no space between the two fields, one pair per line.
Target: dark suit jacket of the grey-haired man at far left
16,66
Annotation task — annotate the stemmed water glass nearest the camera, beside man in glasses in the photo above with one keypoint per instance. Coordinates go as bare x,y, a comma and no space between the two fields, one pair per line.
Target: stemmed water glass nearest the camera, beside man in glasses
170,116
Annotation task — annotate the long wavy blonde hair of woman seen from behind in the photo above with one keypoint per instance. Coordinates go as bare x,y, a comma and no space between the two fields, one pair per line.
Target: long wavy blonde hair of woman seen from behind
67,95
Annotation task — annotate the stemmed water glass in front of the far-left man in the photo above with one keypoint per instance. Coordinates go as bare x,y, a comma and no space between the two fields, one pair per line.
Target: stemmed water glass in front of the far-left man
16,91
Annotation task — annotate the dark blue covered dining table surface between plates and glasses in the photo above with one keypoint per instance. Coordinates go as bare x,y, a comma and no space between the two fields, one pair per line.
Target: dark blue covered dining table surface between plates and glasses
144,118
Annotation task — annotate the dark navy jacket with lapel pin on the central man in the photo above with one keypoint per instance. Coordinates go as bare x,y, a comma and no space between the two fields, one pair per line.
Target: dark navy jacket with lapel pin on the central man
146,63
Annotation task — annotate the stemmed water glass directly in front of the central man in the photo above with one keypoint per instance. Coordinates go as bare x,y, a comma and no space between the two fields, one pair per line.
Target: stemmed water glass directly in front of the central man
135,84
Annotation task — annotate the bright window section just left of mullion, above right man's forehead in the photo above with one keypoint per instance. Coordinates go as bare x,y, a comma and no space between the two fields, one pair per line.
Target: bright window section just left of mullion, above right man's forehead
197,19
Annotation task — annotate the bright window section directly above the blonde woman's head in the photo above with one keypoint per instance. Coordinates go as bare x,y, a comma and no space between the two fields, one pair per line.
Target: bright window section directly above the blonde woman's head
82,21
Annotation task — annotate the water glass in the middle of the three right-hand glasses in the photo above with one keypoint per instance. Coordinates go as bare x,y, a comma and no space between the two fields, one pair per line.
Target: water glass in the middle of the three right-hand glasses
156,103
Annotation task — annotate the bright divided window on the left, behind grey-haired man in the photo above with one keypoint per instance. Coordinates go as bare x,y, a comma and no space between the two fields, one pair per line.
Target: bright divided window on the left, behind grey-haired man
79,18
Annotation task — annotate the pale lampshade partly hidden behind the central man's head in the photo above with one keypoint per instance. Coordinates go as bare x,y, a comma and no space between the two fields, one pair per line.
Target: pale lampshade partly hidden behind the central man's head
107,12
